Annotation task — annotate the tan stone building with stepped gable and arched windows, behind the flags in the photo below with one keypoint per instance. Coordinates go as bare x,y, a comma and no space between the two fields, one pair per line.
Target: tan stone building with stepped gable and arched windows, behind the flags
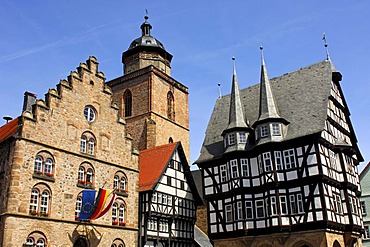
59,148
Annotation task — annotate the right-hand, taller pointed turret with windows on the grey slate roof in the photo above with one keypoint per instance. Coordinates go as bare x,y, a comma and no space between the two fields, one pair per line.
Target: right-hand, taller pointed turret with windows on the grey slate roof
269,120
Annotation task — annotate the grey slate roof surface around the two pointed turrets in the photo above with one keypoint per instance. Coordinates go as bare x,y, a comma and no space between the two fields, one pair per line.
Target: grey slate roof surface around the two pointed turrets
302,97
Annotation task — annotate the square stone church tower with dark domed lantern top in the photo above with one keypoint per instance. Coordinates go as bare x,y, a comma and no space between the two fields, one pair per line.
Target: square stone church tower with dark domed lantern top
153,104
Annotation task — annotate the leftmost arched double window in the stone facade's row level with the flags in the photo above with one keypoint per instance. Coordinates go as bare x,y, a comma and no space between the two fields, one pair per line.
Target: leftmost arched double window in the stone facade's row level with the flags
40,205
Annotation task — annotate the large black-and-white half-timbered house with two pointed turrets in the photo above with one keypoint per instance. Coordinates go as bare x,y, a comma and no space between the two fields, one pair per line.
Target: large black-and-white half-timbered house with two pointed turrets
281,169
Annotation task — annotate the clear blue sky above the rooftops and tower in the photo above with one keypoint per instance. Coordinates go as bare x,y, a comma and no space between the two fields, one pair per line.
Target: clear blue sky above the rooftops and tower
42,41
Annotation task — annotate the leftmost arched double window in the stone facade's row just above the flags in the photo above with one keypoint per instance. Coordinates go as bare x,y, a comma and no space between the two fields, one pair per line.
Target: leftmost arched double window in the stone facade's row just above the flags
44,165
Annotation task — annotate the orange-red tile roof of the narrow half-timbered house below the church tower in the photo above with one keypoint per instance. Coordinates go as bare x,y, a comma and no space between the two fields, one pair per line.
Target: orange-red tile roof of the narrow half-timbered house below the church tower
152,163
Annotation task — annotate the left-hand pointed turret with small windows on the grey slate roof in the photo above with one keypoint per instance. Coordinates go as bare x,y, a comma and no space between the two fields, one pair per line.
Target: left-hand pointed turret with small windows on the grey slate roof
237,132
